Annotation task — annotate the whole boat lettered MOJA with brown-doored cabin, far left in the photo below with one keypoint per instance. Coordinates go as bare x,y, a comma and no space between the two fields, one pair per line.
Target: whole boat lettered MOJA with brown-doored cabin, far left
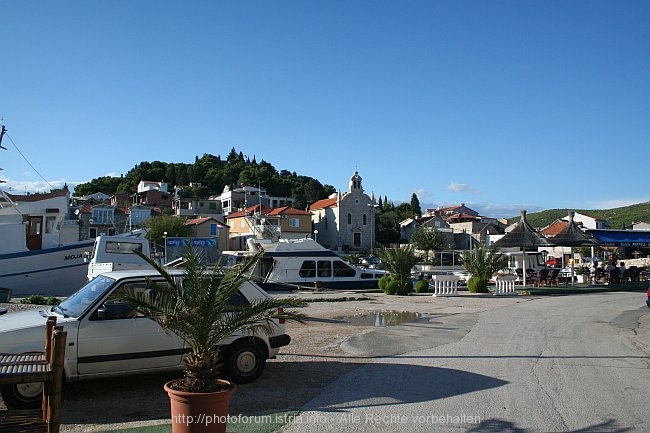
40,251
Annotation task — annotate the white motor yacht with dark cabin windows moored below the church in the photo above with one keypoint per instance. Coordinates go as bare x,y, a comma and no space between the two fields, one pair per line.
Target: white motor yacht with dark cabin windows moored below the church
290,264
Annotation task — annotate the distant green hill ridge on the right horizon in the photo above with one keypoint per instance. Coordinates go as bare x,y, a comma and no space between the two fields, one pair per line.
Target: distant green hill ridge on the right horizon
618,218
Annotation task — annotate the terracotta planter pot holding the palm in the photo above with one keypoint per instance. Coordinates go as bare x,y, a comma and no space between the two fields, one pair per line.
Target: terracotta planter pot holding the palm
196,412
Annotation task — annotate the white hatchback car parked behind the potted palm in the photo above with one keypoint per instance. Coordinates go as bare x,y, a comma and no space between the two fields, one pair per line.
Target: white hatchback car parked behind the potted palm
106,338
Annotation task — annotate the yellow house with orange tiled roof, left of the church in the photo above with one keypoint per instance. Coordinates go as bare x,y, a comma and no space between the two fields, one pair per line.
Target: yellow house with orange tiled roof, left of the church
258,220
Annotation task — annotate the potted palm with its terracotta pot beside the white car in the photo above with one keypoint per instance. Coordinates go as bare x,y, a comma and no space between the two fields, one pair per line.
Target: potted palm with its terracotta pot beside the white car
197,308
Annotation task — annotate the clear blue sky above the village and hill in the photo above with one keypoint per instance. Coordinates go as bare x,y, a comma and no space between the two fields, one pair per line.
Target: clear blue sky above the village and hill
501,105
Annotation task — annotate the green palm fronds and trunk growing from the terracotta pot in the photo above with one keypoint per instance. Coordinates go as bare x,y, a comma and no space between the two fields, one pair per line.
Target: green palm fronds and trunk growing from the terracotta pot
197,308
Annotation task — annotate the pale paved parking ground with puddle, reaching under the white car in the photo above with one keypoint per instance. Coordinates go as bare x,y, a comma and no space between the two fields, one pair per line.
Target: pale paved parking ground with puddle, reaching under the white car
342,332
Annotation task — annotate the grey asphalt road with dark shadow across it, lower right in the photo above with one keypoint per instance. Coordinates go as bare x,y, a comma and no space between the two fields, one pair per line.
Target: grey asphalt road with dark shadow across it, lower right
557,364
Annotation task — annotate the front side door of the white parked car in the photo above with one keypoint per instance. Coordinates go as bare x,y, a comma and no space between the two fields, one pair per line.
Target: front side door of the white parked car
114,338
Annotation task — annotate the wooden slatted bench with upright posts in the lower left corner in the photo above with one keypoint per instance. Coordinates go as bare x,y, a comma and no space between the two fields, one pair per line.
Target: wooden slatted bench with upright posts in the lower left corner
45,367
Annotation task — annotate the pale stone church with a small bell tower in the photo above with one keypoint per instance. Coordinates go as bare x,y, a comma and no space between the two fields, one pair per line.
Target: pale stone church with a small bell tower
345,220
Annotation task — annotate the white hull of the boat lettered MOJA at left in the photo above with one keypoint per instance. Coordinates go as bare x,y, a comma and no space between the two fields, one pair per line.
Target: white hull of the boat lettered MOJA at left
56,271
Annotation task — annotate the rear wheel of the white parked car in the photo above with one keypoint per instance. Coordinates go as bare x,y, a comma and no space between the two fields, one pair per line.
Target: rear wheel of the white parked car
244,361
